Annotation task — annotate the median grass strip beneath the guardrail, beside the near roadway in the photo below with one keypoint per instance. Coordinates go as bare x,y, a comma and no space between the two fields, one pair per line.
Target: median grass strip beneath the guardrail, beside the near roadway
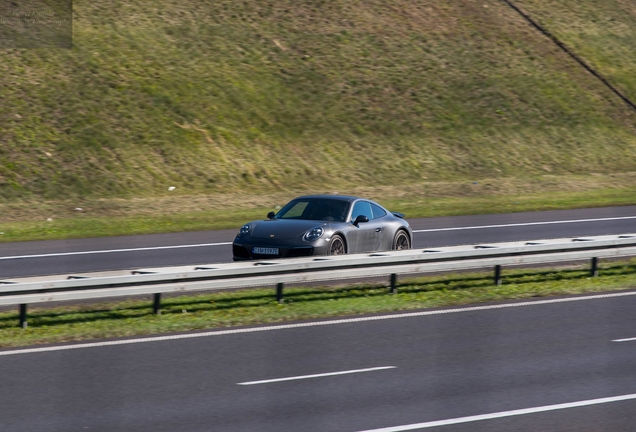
258,306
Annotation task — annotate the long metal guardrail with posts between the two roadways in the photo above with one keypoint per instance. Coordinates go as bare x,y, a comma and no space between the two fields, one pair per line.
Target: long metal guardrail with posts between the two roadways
298,270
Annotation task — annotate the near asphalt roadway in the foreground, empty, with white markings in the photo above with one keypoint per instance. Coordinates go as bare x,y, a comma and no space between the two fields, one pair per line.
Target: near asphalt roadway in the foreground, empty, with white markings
561,364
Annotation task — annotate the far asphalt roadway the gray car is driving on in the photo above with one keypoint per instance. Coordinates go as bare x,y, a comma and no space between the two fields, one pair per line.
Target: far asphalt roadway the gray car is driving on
117,253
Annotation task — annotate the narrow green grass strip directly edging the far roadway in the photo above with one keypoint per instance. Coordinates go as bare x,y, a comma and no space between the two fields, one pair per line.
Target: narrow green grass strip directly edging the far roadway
90,226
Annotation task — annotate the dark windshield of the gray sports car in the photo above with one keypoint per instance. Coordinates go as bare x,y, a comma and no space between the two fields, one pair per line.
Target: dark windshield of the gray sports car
323,209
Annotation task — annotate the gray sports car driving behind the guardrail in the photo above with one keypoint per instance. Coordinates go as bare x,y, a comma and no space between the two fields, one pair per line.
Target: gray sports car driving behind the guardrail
323,225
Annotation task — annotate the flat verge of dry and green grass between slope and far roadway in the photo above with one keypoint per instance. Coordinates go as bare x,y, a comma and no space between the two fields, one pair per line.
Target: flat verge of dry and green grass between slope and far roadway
103,217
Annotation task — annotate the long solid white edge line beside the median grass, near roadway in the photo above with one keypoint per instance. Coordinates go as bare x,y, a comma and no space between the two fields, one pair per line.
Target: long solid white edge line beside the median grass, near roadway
313,324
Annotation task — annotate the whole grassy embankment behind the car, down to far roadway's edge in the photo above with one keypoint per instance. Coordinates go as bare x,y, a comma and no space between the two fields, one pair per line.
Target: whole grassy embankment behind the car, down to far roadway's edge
440,107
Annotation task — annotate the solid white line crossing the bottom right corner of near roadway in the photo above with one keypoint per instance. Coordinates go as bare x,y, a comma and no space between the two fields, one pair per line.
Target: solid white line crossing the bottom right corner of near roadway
503,414
